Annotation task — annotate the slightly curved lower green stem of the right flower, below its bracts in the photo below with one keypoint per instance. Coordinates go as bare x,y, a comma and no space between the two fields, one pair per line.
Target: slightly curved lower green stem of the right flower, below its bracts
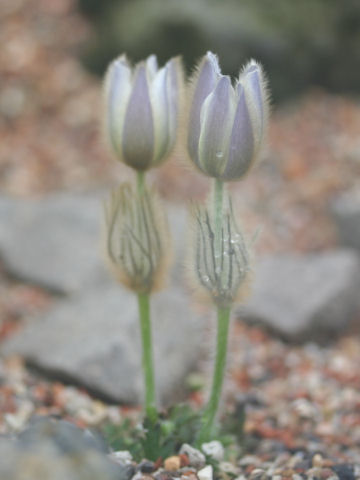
223,321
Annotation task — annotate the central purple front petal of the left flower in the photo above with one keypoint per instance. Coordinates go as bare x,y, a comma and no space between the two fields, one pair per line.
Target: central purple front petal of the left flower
138,131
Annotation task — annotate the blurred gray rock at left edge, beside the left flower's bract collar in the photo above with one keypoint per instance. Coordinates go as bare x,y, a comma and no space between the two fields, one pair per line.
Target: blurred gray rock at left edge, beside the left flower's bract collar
53,241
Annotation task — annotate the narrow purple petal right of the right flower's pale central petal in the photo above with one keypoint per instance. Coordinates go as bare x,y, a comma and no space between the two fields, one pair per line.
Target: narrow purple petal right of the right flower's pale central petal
241,145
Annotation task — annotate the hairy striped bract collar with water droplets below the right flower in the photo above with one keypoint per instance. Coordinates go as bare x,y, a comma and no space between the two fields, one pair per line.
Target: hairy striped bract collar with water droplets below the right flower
221,272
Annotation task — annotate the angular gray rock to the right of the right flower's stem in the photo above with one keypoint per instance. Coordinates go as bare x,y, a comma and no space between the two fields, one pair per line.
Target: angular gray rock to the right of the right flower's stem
310,297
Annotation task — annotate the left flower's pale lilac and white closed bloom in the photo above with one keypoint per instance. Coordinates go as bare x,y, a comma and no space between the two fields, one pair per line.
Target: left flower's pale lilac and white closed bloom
141,110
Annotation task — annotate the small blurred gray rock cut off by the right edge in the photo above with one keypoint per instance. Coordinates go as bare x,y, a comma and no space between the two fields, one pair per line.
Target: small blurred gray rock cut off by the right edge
345,210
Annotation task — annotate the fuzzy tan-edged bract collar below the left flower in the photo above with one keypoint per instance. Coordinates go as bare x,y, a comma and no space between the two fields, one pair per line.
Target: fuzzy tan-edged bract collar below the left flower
137,239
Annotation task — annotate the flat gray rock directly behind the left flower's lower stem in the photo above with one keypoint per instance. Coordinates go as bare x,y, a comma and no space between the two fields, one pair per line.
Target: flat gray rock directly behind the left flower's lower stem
93,340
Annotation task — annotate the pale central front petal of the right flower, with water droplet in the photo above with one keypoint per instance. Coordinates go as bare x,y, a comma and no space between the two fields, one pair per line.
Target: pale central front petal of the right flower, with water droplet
217,116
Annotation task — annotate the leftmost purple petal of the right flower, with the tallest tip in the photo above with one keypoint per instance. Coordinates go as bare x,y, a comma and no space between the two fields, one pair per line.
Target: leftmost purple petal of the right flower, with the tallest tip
204,83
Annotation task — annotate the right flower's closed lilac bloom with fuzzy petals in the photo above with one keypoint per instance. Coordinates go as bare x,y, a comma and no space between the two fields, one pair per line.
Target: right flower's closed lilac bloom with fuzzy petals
227,123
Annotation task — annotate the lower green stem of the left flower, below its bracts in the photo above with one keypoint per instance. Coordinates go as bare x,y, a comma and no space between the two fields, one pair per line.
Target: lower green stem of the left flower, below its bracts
147,358
